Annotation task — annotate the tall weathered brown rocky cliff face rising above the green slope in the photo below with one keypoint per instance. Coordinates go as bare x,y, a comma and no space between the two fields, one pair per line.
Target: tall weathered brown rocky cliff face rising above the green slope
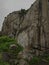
23,25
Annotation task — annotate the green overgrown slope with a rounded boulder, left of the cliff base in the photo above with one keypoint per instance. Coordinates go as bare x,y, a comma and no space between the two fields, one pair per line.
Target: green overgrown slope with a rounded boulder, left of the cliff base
9,50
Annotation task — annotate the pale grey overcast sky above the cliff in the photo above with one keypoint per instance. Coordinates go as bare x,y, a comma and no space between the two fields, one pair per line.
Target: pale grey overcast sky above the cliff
8,6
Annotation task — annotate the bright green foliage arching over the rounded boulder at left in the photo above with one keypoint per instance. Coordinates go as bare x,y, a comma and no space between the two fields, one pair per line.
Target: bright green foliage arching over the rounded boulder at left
5,43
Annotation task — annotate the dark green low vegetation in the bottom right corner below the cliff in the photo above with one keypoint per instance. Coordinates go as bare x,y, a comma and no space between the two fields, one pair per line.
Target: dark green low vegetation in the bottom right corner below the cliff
38,60
